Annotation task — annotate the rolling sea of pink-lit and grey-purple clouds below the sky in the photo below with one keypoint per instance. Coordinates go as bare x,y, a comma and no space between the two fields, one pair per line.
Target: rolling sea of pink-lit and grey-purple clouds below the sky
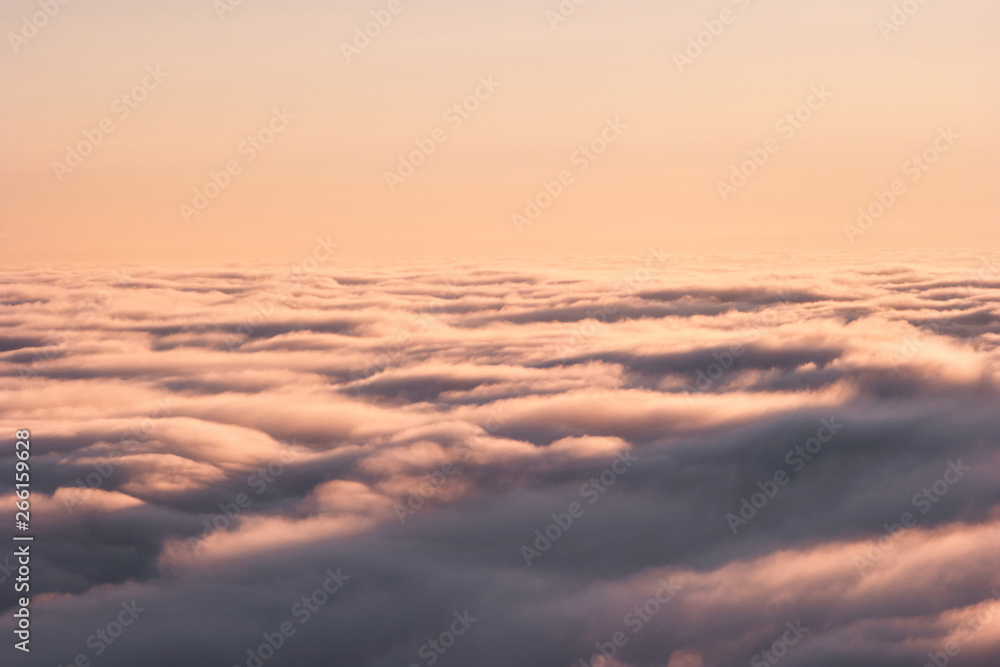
668,460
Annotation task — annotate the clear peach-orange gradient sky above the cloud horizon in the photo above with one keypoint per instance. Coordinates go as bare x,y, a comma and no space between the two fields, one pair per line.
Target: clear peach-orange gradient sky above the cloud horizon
324,174
